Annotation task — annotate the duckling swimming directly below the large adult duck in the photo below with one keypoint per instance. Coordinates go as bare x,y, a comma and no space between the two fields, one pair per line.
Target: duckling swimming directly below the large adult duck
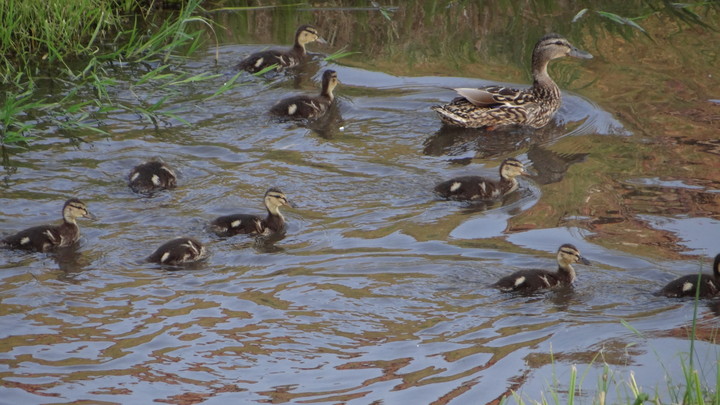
469,188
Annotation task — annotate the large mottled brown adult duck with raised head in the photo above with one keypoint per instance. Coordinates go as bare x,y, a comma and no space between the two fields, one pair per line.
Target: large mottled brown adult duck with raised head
497,106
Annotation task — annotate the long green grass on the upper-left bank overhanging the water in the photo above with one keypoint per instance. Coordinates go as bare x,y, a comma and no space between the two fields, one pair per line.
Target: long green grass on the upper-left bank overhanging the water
74,44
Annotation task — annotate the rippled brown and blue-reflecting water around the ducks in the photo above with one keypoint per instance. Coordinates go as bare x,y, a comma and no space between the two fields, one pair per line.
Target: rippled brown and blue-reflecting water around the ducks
378,293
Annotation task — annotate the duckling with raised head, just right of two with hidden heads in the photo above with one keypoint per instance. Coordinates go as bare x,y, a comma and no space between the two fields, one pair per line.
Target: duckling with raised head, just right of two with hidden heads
250,224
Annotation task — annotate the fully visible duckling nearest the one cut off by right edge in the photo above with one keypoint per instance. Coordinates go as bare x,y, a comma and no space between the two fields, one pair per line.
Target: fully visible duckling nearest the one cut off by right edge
527,281
